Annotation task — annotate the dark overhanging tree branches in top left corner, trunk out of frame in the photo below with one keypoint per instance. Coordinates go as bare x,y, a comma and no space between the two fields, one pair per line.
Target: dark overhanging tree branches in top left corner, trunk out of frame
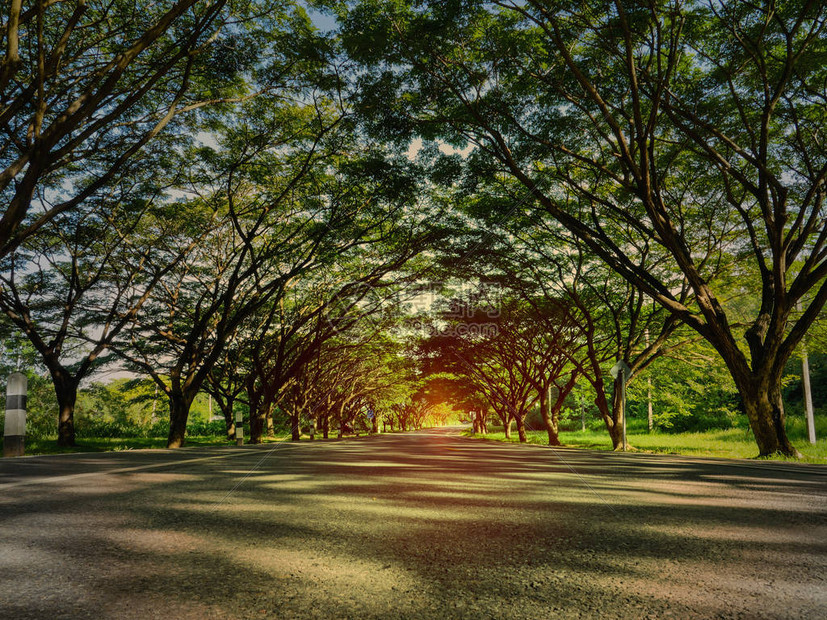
86,85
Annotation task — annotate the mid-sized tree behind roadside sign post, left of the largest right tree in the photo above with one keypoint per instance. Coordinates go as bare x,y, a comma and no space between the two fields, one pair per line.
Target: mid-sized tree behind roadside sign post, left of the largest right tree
602,317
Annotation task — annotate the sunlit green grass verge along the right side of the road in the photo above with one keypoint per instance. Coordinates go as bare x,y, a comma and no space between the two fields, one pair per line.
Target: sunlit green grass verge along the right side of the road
732,443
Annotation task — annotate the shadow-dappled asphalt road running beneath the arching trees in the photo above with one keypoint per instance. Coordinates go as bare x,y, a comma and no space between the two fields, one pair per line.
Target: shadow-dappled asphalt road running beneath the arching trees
420,525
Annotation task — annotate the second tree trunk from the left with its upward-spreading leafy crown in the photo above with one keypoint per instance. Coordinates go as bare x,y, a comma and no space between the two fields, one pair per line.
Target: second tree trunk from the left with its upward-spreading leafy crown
260,235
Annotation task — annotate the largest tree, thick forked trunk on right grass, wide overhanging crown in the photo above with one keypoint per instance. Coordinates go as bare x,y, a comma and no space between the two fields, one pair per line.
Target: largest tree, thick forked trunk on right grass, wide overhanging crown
697,125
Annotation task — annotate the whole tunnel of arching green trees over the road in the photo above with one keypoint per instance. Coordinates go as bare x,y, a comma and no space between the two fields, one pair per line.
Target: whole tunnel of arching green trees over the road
373,214
